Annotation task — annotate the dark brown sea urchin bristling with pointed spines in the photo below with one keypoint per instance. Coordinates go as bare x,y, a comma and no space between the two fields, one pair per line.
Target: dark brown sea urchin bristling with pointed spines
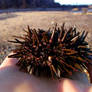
55,53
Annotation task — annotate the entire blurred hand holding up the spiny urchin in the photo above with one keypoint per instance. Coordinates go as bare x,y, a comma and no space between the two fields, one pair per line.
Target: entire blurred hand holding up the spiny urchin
12,80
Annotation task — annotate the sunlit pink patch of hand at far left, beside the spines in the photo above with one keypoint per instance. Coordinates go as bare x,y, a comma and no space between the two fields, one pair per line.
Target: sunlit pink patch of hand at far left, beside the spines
9,61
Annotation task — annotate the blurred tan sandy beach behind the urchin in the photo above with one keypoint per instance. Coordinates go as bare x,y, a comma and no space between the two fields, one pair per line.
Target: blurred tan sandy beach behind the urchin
13,23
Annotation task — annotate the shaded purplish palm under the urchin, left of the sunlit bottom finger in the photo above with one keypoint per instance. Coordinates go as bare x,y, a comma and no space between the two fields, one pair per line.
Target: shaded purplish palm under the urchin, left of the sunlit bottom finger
12,80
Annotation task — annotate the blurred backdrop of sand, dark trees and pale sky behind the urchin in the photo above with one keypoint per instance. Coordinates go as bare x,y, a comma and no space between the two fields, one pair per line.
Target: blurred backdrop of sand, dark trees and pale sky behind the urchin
15,15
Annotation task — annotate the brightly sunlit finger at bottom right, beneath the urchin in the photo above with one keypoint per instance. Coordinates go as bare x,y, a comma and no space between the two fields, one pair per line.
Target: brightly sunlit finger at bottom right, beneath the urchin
72,86
